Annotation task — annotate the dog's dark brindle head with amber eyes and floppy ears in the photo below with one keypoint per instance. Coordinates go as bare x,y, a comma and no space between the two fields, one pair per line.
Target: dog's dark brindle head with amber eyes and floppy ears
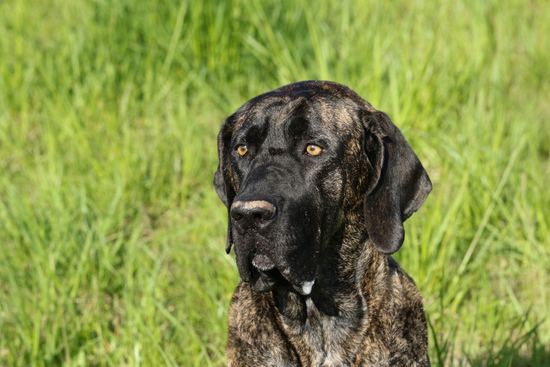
298,164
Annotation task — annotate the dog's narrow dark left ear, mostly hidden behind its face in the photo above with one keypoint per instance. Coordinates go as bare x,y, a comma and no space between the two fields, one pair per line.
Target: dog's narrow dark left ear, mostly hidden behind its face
222,177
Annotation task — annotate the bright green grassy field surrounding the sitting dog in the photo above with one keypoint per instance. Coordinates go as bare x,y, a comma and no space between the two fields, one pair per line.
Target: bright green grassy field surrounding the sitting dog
112,237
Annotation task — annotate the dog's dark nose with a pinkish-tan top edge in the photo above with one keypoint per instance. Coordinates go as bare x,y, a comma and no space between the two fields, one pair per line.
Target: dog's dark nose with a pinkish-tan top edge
253,214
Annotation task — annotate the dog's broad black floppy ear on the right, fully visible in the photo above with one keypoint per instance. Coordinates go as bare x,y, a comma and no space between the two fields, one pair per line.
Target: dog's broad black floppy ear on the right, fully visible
399,183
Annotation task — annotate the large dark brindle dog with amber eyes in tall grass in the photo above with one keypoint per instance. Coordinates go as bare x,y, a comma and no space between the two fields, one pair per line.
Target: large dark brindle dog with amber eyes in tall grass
317,184
